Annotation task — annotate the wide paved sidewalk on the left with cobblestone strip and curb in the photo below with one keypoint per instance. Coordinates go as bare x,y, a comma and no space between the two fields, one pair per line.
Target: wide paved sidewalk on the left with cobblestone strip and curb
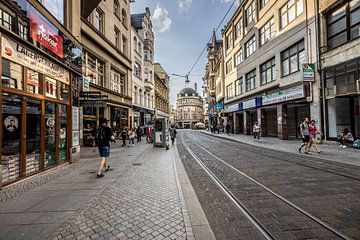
141,197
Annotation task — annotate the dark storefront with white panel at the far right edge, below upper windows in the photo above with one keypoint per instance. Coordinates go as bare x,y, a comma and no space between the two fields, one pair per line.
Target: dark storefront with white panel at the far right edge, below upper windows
342,92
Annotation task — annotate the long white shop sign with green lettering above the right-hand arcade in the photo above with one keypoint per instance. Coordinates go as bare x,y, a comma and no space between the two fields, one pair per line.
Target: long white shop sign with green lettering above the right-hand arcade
284,95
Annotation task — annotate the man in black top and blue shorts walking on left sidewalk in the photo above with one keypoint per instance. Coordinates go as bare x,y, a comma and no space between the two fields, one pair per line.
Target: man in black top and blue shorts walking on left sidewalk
103,137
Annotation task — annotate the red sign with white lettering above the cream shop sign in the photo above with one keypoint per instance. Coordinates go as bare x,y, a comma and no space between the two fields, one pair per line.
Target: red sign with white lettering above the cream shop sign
45,35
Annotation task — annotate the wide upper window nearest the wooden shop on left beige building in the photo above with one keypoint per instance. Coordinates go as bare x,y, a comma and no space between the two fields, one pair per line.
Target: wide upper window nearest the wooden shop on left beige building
93,69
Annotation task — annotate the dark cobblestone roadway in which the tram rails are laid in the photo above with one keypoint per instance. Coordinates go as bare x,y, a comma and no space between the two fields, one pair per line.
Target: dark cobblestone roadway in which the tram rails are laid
313,184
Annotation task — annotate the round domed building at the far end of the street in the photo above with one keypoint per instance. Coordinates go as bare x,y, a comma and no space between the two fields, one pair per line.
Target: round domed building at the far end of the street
189,108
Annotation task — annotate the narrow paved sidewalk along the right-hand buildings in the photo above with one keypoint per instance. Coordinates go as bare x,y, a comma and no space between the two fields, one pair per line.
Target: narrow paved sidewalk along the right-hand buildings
330,150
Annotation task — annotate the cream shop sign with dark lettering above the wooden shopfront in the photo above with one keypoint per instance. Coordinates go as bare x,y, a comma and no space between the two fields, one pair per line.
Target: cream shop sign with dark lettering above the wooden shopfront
15,52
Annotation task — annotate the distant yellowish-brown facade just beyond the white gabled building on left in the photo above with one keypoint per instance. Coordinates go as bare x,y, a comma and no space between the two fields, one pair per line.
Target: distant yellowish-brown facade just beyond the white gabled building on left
162,90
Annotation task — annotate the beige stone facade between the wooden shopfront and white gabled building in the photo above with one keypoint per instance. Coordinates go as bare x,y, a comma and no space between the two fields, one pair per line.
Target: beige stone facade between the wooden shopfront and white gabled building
106,65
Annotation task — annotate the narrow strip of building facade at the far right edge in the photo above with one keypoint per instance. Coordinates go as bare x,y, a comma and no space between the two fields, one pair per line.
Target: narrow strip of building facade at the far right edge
340,66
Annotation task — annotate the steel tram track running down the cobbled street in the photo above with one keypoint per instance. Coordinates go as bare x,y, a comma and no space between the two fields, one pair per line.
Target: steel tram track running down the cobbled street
202,155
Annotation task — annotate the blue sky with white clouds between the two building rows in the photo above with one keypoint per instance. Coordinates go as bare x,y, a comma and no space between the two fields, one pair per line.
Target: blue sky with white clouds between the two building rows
182,28
